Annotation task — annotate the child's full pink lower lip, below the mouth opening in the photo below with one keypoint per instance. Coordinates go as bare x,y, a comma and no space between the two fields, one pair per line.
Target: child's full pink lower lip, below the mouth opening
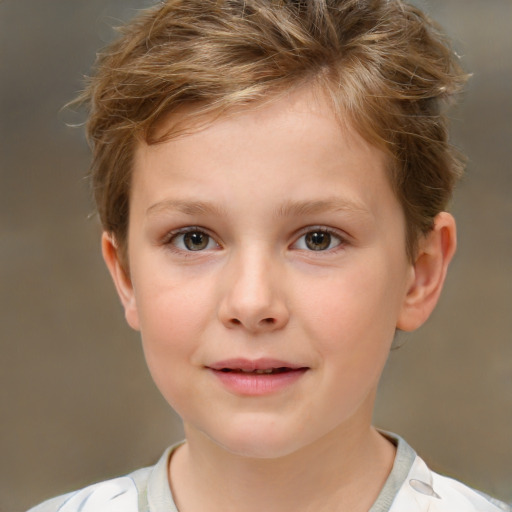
254,384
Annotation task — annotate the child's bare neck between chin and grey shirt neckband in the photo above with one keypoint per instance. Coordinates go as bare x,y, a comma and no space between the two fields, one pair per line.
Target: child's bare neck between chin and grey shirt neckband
344,471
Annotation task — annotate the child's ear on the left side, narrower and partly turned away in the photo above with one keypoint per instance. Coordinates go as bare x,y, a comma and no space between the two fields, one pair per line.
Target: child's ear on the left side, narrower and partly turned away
121,280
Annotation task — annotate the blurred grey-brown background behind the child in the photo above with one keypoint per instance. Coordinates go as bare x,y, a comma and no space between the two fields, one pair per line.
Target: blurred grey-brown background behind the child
77,404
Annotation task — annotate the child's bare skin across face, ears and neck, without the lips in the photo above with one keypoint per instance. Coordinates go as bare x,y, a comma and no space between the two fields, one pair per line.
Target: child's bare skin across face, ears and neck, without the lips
255,184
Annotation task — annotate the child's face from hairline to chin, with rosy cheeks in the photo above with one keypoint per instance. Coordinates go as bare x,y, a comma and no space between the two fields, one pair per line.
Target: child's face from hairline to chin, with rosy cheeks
268,273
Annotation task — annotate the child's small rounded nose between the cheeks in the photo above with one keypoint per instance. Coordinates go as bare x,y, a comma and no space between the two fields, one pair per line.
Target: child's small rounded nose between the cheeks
253,294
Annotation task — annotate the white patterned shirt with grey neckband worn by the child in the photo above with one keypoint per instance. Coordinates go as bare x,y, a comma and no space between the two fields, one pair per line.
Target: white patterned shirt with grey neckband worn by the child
410,487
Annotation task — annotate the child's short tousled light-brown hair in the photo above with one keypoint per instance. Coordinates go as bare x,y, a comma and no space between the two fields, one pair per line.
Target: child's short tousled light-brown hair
383,63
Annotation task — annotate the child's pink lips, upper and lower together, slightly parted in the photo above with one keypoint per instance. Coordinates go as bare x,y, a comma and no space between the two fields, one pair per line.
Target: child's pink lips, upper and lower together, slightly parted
234,375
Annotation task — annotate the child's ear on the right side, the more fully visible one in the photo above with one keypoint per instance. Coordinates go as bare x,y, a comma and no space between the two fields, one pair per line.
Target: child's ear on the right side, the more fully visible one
435,252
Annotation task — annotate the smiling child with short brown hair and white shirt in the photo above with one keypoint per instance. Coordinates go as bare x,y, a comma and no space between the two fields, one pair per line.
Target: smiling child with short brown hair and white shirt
272,178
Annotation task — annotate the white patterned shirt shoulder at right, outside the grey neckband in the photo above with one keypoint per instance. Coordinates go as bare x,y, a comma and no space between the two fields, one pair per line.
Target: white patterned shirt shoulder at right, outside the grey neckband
424,489
